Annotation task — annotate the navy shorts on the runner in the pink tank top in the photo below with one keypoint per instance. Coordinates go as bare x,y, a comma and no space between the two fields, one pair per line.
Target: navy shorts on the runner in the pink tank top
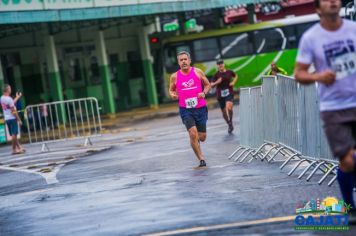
194,117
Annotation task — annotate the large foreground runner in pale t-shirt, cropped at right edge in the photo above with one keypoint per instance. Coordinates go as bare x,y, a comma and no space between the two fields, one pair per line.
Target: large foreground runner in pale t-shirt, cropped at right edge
331,46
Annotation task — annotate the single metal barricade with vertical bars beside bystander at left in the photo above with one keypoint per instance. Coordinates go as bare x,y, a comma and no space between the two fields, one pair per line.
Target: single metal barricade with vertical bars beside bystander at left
63,120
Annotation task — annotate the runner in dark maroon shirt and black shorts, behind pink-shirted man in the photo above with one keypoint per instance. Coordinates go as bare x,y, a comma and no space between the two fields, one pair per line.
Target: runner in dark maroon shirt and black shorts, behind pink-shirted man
224,80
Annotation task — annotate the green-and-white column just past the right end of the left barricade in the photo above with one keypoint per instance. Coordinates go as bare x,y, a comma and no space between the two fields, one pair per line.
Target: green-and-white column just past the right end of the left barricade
109,102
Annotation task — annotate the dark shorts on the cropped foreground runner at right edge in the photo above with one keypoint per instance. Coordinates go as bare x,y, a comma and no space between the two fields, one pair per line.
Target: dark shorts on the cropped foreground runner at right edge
340,130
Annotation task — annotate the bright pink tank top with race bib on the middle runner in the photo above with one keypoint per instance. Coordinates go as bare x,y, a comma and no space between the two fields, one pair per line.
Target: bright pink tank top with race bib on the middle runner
188,86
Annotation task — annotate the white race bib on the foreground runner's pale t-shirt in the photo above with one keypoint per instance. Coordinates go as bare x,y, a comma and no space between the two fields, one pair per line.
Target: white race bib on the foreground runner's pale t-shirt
344,65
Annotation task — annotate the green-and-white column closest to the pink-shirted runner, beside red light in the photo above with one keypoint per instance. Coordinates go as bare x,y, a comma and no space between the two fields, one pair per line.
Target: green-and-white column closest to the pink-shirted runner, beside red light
147,61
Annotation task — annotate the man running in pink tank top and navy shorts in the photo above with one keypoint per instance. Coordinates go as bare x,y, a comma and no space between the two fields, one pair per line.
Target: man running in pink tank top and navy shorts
189,85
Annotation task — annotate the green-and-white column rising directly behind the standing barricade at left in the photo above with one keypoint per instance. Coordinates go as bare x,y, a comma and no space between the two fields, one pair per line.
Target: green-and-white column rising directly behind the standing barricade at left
53,70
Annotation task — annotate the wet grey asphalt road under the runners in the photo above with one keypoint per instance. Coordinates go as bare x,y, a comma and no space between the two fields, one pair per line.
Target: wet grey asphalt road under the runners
146,183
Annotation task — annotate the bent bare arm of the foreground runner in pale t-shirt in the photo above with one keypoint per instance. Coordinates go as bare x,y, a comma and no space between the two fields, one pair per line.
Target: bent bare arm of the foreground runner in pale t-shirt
304,77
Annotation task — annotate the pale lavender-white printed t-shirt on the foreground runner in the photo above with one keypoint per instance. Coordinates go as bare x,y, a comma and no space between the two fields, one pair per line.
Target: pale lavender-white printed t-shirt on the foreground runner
334,50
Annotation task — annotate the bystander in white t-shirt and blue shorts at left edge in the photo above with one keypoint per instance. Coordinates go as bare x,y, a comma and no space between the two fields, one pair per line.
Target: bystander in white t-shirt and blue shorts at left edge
12,118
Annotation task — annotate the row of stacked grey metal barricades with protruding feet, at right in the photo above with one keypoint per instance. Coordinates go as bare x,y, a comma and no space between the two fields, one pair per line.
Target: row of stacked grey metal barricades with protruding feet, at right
280,119
